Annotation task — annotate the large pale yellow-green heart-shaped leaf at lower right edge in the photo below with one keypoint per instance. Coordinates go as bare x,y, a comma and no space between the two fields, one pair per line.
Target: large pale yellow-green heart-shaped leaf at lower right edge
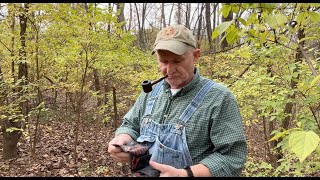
303,143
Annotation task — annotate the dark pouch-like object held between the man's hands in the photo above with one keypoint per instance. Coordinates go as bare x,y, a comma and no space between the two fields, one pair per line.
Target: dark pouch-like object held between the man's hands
139,159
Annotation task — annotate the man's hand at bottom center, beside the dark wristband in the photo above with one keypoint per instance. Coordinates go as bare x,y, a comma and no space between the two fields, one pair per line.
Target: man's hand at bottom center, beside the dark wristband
168,171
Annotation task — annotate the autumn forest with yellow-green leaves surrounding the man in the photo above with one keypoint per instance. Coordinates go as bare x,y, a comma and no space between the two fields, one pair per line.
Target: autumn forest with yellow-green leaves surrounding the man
69,72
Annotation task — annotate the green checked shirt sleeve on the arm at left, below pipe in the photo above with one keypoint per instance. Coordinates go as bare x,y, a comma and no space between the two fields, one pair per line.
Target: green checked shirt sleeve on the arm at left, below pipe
131,121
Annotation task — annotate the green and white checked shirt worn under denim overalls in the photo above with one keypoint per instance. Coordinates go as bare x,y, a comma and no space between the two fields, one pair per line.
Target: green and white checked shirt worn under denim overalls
214,132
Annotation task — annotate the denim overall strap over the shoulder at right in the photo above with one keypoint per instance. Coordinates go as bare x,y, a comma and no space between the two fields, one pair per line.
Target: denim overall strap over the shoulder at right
196,101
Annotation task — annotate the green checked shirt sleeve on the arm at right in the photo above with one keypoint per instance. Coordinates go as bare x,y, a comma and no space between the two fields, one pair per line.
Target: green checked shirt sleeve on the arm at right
230,147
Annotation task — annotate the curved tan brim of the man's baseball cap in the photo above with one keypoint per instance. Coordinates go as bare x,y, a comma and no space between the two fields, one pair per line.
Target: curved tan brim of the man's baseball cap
176,47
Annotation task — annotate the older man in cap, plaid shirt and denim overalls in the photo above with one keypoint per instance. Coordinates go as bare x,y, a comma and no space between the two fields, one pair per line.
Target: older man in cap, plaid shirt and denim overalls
191,124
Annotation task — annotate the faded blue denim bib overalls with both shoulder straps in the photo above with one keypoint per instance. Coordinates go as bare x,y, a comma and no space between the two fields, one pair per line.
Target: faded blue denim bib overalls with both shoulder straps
167,142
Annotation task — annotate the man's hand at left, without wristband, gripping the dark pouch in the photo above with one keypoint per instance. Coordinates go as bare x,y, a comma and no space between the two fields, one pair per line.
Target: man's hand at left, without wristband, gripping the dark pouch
116,152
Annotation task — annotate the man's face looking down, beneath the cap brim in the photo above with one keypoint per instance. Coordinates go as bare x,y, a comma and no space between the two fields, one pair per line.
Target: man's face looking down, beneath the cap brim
179,68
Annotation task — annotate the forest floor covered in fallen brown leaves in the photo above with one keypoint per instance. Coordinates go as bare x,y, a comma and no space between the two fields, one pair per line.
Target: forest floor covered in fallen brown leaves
54,152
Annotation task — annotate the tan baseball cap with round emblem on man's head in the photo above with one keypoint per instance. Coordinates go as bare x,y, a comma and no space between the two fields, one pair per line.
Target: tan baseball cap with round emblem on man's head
174,38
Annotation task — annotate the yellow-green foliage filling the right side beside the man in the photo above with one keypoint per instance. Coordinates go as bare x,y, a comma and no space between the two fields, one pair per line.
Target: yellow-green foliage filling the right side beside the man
273,68
